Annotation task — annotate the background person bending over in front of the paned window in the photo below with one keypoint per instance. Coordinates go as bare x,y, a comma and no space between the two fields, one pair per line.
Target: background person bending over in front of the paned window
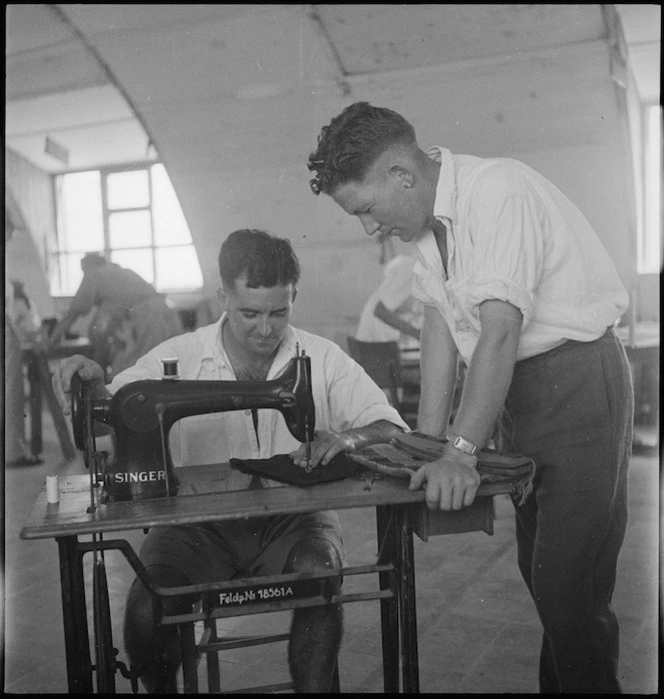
131,317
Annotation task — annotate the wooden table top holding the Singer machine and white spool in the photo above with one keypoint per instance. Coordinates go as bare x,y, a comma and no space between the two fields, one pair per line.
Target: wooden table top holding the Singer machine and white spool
201,499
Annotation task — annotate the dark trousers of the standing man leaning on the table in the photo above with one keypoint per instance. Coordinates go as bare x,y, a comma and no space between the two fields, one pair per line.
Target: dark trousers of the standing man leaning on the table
571,410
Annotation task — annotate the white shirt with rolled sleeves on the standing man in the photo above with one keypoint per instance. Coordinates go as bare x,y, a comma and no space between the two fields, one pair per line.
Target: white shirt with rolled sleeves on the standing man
513,236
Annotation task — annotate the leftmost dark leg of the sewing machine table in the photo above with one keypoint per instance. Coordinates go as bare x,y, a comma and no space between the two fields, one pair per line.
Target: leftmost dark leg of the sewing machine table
74,617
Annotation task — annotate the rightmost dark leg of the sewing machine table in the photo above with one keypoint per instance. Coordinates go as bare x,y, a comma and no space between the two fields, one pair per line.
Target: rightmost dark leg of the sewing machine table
407,606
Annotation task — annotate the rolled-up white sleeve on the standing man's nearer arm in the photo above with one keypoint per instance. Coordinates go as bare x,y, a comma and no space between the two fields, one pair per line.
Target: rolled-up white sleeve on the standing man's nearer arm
508,244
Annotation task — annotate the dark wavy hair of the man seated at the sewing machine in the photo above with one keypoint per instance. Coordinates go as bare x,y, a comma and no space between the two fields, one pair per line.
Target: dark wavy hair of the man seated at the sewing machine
265,259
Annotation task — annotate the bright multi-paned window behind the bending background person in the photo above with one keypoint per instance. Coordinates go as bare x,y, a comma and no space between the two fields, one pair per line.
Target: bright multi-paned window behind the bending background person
133,216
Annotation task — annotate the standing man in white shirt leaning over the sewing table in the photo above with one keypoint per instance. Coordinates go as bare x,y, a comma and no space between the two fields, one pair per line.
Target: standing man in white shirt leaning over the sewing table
516,281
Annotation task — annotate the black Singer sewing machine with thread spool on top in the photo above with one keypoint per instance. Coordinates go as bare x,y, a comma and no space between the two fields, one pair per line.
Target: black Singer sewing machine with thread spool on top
142,413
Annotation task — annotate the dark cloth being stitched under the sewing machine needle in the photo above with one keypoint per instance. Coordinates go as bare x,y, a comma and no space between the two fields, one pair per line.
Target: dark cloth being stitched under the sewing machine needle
282,469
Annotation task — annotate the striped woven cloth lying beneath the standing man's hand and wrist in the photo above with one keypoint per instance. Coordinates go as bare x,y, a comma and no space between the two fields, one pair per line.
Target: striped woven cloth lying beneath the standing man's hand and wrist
404,455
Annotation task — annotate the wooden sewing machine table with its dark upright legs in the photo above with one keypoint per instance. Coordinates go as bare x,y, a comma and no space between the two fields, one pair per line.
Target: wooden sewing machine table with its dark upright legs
201,500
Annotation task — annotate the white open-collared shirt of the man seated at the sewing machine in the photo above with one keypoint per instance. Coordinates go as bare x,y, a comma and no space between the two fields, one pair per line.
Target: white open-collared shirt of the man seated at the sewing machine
344,398
